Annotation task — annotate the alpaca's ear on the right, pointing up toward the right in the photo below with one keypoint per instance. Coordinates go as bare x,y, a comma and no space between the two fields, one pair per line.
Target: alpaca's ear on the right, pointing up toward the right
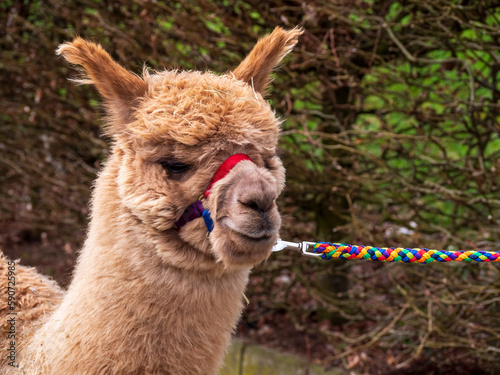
267,53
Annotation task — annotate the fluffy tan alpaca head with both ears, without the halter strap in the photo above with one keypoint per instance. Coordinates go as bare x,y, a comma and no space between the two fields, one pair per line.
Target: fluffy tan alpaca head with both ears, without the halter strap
171,132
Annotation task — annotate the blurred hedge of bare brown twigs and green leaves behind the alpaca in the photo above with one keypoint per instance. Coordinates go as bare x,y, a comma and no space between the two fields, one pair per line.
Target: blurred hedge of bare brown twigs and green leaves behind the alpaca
391,138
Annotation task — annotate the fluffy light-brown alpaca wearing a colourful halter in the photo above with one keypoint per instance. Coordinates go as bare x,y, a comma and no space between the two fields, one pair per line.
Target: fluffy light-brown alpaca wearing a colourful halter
152,293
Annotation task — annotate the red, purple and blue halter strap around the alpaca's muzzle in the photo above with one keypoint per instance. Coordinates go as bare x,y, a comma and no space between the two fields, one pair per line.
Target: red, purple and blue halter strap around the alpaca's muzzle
196,210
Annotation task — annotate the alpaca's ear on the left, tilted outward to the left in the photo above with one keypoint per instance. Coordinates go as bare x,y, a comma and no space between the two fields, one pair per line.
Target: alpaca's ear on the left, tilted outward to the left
120,88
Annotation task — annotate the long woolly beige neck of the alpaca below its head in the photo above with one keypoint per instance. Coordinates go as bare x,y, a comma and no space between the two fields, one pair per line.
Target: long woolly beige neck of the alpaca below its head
130,311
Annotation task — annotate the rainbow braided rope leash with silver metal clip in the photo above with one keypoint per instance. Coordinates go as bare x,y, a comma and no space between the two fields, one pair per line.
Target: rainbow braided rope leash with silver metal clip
327,251
